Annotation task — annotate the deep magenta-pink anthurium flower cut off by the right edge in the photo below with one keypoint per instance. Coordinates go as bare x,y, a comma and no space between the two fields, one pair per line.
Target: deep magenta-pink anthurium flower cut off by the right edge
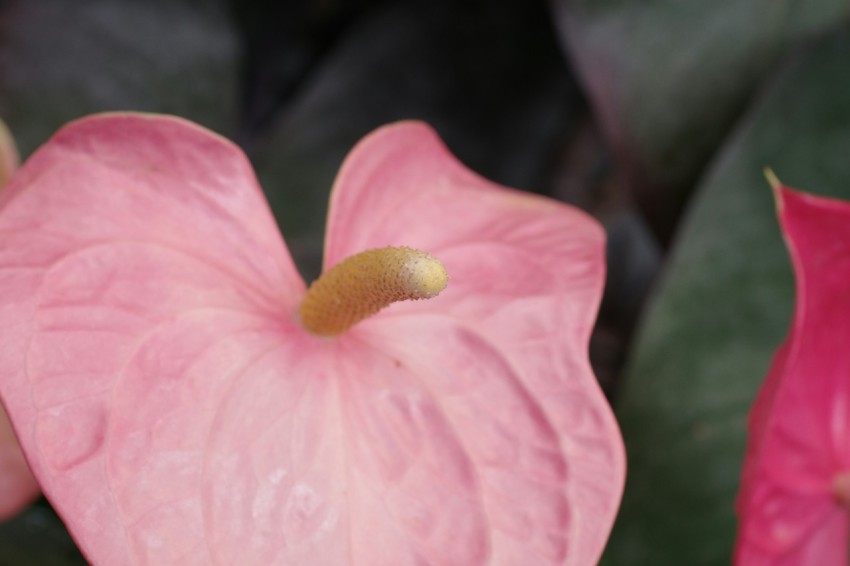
795,492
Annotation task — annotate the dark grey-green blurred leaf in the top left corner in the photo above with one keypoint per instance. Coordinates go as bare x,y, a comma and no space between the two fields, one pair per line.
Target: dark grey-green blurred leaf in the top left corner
63,60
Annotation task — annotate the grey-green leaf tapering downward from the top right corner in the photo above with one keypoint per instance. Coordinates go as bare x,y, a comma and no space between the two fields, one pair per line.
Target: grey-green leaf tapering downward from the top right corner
669,78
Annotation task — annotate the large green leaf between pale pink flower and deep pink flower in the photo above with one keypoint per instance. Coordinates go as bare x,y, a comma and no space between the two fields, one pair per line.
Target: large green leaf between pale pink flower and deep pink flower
721,311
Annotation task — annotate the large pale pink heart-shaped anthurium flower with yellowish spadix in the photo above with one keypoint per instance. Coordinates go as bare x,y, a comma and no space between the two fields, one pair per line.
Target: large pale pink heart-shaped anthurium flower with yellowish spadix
176,409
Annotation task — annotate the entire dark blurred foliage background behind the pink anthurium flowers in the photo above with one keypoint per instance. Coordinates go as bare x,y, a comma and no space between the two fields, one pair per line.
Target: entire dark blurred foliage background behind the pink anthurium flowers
656,116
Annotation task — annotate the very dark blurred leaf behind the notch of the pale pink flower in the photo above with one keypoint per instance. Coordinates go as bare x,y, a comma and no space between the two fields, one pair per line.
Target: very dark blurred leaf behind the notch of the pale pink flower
503,103
